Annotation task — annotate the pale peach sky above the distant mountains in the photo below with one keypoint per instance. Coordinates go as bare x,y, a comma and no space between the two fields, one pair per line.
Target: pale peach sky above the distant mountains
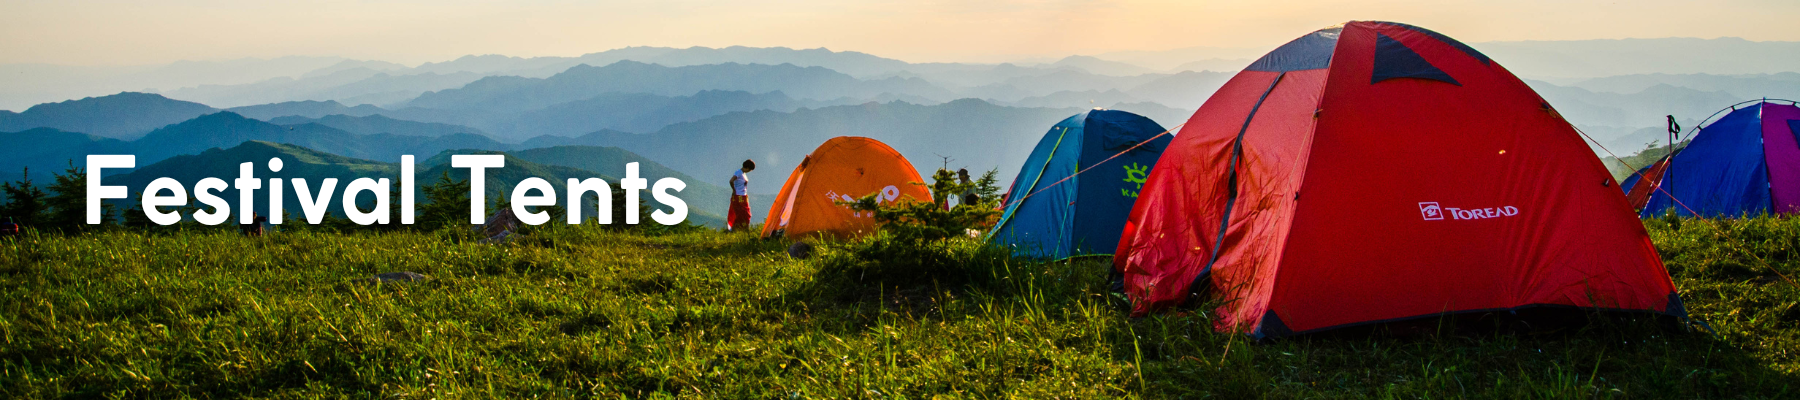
415,32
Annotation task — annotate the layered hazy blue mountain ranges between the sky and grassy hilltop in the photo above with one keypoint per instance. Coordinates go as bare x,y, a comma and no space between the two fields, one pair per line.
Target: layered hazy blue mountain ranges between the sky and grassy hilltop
703,111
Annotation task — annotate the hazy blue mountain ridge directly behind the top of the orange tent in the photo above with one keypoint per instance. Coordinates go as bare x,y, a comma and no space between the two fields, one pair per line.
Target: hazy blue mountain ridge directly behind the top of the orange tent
975,134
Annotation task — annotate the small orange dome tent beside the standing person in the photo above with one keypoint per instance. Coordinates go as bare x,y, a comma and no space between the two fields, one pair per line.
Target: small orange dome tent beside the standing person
841,170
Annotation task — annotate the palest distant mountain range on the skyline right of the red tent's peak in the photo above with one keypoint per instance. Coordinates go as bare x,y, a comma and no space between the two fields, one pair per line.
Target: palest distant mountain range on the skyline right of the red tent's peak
1596,59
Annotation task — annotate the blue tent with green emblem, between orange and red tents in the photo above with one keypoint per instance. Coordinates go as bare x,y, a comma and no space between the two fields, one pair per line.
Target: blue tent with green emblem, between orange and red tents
1056,214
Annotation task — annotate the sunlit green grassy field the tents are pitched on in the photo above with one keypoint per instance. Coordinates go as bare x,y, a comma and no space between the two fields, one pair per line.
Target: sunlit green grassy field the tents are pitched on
577,313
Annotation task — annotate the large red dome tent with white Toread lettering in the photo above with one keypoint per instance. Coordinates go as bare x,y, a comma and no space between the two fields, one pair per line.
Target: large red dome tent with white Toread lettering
1383,172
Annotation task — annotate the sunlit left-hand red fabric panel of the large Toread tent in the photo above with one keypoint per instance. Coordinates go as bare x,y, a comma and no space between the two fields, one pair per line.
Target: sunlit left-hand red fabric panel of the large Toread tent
1183,212
